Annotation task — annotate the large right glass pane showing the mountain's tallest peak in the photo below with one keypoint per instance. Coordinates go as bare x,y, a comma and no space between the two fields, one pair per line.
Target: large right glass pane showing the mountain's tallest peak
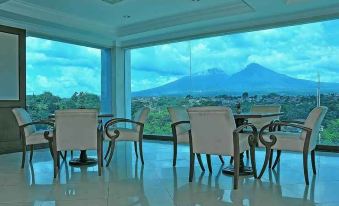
275,66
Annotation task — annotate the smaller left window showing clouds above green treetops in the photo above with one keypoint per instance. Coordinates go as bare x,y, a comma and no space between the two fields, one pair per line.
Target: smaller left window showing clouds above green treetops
61,76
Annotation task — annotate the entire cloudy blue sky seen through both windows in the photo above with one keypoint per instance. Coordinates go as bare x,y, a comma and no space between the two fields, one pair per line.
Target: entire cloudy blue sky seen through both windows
300,51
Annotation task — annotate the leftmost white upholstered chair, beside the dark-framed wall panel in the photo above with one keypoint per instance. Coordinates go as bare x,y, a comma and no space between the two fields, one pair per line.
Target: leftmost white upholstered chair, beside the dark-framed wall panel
29,135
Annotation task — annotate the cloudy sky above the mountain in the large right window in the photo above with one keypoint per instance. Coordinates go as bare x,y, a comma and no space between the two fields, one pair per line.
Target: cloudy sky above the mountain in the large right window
297,51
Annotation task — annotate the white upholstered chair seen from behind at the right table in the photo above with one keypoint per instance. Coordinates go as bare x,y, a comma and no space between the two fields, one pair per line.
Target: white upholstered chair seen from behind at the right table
213,132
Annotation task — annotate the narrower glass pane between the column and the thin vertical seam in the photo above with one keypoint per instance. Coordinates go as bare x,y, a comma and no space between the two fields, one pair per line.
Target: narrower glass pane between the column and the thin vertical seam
151,69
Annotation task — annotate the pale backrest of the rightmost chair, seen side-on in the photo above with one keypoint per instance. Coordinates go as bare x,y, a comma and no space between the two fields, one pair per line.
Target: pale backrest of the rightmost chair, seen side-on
313,121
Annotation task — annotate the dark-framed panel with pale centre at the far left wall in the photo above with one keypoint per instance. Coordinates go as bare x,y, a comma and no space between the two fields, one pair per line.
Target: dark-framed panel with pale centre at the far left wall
12,67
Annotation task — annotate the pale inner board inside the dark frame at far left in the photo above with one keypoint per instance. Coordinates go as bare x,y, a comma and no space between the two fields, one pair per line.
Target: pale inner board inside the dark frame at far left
9,66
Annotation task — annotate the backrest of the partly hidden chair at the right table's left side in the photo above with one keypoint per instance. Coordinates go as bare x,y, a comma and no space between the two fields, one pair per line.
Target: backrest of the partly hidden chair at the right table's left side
177,114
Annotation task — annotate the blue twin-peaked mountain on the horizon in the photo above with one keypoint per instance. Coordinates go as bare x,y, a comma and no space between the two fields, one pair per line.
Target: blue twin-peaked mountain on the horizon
254,78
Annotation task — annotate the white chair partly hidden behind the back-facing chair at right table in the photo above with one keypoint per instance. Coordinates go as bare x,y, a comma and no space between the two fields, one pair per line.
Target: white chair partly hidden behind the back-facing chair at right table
180,126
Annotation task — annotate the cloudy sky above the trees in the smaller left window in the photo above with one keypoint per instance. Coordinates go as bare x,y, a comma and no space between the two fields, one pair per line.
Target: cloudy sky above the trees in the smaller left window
62,68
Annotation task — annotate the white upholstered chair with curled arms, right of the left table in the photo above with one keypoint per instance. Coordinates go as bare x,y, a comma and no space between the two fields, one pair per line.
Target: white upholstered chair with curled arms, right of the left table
134,134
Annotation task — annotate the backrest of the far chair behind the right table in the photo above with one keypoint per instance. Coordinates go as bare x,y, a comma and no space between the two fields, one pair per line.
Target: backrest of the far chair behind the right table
261,122
